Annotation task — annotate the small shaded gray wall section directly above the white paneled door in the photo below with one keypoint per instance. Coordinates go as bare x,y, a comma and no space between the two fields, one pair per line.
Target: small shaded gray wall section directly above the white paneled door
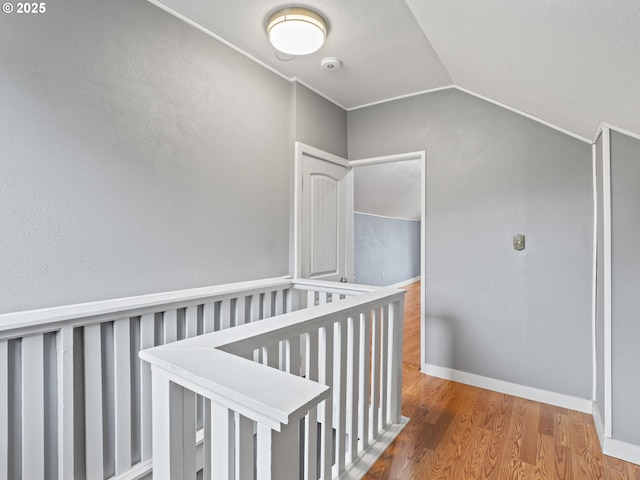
319,122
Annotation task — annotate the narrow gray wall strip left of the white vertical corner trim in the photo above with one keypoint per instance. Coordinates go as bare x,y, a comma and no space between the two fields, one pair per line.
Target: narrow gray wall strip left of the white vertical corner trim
600,286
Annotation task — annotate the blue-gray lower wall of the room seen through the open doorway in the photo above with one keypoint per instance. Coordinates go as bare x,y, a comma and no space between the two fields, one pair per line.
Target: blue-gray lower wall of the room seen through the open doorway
386,250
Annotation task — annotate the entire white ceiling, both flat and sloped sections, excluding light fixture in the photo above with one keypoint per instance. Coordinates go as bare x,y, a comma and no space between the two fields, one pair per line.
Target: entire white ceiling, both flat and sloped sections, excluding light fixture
572,63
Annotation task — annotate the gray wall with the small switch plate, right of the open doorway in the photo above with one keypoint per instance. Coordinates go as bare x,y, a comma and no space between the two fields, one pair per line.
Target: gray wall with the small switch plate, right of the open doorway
522,317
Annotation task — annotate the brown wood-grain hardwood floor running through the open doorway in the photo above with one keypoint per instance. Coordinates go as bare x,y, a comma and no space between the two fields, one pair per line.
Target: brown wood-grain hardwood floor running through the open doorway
460,432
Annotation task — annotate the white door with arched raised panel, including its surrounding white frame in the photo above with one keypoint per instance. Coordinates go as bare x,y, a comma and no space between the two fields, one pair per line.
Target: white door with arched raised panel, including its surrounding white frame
324,204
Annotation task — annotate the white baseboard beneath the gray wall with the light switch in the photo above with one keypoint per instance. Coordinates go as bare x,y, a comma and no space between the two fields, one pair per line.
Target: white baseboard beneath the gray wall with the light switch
531,393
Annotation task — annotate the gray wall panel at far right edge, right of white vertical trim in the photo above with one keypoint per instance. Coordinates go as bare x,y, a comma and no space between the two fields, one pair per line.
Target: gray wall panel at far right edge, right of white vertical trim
625,285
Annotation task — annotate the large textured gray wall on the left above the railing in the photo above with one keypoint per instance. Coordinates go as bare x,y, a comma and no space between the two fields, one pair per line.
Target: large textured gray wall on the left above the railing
137,155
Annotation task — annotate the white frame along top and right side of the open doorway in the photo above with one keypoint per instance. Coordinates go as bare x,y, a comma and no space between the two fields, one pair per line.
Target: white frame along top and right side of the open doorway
401,157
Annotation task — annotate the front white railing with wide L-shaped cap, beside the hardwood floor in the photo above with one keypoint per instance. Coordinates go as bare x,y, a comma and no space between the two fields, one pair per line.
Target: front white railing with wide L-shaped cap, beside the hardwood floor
349,401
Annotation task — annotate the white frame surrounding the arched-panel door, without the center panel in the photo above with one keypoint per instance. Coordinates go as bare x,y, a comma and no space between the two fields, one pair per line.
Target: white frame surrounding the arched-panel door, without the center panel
302,149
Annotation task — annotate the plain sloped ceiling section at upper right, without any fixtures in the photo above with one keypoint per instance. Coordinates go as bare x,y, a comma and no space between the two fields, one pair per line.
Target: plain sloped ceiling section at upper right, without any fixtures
573,63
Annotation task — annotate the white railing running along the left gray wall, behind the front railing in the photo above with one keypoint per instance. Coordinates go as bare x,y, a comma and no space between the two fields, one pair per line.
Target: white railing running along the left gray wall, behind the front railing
75,399
